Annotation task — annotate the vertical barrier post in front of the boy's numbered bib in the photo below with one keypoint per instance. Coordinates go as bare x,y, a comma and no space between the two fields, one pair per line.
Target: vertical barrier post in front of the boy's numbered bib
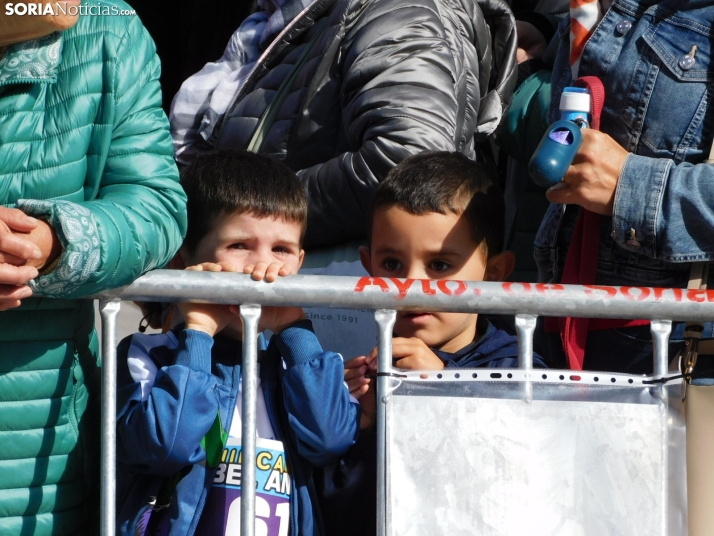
249,315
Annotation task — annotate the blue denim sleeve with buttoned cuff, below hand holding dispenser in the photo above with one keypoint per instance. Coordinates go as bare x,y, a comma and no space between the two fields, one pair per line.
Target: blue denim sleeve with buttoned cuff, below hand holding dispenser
665,210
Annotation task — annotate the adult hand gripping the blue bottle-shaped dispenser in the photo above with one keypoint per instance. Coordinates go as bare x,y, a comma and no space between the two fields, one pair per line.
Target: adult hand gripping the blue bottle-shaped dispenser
591,180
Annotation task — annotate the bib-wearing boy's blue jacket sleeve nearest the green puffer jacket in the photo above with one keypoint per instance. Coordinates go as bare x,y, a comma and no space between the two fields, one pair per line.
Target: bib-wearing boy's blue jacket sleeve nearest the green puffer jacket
160,432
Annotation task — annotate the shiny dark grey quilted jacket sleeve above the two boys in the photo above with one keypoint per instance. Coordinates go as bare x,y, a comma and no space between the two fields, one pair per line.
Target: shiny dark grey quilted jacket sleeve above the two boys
400,95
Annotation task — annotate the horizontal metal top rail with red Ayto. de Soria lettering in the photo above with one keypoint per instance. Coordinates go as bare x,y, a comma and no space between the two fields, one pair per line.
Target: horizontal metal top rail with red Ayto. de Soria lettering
455,296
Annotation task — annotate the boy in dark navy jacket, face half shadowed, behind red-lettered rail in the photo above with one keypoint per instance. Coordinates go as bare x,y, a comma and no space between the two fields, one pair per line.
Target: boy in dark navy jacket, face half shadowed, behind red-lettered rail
436,216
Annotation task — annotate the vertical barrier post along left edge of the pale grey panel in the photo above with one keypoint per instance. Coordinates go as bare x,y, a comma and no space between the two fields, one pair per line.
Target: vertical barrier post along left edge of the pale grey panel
385,319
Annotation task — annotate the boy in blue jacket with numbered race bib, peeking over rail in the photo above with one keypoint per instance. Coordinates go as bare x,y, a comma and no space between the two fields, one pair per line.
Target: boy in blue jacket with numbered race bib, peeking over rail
179,411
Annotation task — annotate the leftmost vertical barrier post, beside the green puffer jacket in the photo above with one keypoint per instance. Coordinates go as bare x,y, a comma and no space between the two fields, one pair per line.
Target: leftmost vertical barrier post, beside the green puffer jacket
108,311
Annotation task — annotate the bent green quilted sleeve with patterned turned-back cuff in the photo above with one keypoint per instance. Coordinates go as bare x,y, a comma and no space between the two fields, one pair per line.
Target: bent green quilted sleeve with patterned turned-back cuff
135,220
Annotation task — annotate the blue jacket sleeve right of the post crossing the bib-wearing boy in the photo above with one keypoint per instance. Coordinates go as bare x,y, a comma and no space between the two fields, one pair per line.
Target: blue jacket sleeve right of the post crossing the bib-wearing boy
320,410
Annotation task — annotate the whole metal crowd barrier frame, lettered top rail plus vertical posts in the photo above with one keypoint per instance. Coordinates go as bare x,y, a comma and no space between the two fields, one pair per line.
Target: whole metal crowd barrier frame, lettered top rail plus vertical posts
386,295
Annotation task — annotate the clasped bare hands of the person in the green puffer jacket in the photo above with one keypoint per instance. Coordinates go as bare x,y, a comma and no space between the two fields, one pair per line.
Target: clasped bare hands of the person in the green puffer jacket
16,249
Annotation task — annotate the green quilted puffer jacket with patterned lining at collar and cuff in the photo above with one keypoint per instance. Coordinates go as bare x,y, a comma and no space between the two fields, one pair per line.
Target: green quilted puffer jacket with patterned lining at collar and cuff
85,145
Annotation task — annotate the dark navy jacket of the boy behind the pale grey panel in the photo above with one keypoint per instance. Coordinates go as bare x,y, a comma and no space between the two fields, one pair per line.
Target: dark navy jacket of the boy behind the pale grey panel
348,488
